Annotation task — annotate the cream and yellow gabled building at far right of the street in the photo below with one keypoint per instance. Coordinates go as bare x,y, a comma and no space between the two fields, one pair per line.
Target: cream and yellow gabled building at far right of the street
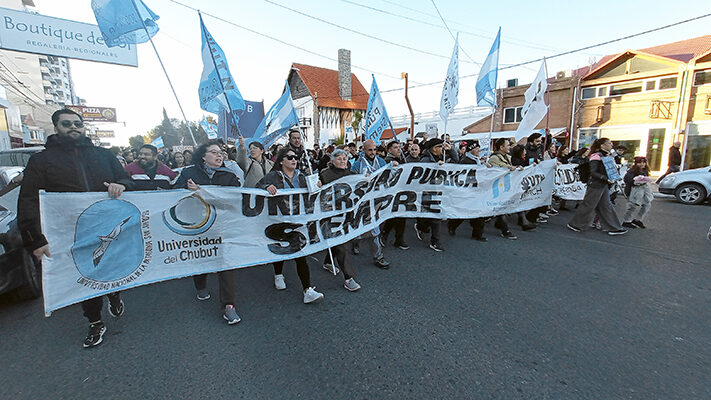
647,99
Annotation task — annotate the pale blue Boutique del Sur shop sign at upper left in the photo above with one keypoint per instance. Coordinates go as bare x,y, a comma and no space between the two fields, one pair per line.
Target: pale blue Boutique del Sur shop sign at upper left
40,34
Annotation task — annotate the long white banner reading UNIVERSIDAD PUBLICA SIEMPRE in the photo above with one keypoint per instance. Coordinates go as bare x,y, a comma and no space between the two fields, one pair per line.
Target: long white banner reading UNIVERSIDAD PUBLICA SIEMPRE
101,245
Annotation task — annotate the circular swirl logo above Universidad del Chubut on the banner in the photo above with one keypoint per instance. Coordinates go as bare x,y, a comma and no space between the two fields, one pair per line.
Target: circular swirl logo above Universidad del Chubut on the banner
191,215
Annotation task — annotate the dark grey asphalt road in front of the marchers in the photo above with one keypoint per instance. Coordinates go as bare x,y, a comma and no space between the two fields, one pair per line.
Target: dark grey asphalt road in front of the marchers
555,314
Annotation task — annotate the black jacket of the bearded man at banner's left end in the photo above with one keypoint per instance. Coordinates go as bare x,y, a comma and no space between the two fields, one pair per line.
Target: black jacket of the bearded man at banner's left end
65,165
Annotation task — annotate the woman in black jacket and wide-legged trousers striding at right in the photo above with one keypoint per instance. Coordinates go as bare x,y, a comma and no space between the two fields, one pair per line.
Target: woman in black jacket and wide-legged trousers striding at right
597,194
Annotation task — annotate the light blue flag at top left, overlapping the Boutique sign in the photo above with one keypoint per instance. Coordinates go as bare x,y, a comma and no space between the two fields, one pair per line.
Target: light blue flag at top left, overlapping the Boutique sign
124,21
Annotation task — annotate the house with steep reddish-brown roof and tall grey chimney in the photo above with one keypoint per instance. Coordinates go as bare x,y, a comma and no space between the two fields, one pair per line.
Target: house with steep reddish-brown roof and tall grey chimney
326,100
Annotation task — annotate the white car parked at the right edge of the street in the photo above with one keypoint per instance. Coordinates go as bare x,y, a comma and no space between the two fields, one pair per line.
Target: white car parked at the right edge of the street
690,187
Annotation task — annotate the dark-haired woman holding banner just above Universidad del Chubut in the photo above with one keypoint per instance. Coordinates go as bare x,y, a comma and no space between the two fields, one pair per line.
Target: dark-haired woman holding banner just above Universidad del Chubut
209,169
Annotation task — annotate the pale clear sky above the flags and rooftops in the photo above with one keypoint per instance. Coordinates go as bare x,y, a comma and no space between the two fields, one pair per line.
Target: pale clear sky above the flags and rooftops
260,64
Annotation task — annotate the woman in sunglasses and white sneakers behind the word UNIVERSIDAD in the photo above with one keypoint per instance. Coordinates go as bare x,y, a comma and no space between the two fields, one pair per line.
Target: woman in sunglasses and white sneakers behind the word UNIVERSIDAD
284,175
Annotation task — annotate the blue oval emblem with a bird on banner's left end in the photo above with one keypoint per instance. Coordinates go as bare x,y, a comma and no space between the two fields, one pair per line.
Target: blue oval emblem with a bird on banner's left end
108,244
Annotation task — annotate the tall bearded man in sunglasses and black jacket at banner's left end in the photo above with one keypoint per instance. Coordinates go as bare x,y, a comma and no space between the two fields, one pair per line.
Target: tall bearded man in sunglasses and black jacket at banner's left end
70,163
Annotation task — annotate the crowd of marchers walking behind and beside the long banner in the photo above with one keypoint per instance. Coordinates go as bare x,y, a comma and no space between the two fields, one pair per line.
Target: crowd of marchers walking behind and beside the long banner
71,163
